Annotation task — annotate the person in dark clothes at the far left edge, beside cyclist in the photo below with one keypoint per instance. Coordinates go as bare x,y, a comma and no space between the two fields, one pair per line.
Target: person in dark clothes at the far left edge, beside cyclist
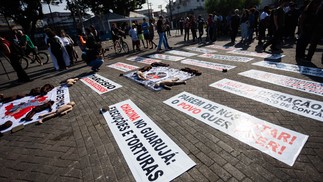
13,52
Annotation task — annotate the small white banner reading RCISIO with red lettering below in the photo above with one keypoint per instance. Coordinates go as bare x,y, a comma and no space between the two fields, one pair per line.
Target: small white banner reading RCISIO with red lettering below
99,83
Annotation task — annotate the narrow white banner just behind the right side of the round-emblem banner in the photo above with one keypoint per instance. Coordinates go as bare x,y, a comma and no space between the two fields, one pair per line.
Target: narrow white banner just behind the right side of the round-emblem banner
205,64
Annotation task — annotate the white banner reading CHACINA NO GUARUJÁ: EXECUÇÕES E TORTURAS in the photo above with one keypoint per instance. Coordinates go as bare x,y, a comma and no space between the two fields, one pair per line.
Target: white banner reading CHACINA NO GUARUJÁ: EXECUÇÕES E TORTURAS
150,154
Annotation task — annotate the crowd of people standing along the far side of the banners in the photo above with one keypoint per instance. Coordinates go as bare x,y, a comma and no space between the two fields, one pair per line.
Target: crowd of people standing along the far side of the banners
271,26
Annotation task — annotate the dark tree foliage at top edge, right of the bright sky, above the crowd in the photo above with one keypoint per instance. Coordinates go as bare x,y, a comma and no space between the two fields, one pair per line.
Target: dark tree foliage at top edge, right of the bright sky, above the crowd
227,6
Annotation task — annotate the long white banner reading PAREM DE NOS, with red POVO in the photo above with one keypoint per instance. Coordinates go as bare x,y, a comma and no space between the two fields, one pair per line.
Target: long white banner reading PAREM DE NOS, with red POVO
278,142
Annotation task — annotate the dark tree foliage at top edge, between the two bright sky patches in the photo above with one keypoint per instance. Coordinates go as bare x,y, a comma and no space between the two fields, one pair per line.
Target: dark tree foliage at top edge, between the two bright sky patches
122,7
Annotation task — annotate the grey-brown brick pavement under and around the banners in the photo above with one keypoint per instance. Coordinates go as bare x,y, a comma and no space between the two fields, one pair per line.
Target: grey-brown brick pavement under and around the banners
80,146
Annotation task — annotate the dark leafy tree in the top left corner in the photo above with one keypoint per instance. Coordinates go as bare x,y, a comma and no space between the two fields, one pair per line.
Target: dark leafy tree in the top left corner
24,12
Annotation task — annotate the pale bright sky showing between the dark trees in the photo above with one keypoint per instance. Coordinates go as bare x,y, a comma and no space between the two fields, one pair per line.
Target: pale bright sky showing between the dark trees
61,7
